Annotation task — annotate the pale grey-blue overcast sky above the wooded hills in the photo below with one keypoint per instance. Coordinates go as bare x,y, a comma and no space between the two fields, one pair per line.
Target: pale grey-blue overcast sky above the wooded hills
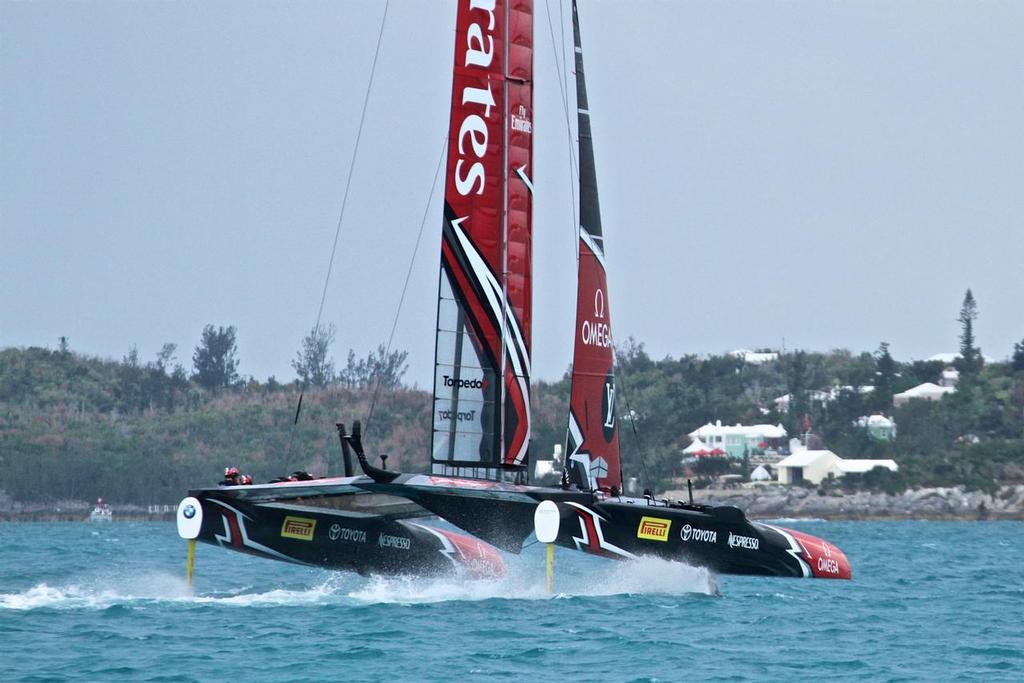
832,175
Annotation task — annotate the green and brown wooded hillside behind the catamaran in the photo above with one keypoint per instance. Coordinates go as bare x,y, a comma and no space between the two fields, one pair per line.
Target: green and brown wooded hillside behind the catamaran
73,426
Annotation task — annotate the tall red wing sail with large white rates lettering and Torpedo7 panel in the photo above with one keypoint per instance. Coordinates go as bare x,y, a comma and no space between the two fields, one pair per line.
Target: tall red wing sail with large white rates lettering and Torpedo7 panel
482,383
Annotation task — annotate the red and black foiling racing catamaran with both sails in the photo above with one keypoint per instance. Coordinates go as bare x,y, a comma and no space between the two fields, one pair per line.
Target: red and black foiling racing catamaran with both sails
482,417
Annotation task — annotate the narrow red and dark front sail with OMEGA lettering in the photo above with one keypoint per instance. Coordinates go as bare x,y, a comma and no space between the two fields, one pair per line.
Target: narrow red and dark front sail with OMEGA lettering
592,453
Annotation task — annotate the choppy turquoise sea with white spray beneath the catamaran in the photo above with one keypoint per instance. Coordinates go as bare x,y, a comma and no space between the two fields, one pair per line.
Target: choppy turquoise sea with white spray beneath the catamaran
929,602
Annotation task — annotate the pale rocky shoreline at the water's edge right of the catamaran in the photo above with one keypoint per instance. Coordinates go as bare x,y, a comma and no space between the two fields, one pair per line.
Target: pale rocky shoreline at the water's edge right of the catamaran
954,503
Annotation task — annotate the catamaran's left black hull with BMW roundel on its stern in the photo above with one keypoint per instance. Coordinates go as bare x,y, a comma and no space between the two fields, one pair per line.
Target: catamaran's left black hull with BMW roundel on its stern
312,532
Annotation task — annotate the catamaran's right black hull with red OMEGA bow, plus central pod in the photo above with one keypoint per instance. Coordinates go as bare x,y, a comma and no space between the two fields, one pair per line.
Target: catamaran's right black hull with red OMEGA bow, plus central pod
719,538
